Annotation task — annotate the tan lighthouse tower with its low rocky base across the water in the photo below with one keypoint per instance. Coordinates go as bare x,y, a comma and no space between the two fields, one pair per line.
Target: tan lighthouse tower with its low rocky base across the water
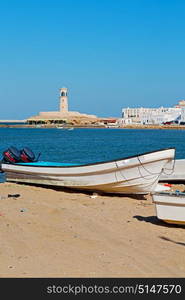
63,115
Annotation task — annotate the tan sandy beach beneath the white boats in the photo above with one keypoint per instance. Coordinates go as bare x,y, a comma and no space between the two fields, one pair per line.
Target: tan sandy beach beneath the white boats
54,233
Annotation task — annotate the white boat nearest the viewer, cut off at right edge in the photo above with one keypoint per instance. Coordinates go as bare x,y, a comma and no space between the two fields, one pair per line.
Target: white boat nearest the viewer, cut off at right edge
170,207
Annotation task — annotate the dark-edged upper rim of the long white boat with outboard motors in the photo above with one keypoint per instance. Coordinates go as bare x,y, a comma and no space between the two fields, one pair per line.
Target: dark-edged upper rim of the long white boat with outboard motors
89,164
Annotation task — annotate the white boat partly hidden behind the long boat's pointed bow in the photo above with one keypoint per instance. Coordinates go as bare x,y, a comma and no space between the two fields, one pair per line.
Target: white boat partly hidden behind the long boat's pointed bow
174,171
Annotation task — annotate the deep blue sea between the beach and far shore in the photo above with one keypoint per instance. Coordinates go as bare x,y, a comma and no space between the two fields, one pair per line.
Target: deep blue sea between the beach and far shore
89,145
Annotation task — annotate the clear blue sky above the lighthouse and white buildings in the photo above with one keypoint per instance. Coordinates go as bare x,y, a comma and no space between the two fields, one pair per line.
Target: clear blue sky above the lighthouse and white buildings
110,54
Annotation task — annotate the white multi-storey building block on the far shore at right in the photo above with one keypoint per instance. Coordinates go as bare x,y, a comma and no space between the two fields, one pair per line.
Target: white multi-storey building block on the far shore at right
152,116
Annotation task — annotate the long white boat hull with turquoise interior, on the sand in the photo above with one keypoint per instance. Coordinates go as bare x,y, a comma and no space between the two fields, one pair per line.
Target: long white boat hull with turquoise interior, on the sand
132,175
